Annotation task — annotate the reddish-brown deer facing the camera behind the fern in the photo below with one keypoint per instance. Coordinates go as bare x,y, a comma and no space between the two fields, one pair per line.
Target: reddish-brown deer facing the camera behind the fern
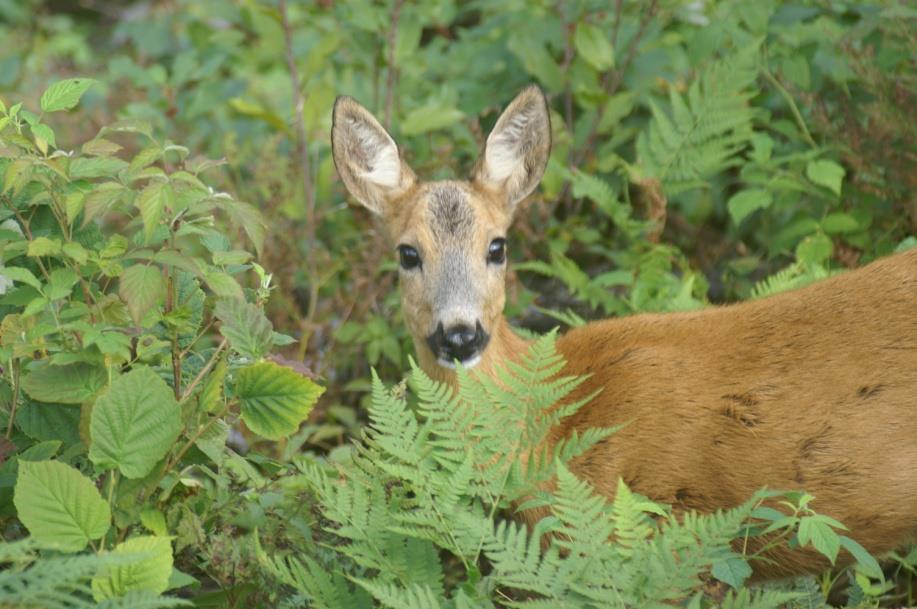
812,389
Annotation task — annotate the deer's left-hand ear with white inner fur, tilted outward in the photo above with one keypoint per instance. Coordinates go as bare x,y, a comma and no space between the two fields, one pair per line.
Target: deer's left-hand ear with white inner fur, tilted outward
366,156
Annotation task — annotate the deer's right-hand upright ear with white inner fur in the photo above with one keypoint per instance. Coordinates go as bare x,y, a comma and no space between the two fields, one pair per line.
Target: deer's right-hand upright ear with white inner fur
518,148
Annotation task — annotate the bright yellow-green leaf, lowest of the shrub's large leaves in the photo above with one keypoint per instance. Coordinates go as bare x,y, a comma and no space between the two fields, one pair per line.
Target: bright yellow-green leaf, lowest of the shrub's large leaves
150,572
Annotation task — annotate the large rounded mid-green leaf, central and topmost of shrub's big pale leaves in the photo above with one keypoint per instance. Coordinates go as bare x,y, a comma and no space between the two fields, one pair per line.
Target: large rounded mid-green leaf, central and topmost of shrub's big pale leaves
134,424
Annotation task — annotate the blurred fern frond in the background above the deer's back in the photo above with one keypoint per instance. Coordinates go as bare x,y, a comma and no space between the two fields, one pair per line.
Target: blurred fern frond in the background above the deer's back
704,130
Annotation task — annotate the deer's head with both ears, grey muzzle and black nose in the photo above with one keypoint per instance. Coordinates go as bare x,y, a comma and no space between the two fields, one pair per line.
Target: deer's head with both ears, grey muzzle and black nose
450,235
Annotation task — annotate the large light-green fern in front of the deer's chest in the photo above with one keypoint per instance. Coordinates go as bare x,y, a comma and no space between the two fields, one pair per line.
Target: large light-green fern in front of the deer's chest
426,492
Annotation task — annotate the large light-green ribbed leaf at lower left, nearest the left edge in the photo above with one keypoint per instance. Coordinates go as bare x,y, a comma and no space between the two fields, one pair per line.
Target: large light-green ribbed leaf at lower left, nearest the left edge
59,506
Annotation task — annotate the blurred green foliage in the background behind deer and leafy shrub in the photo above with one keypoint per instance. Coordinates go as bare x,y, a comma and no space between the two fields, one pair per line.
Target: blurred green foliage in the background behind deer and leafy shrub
703,151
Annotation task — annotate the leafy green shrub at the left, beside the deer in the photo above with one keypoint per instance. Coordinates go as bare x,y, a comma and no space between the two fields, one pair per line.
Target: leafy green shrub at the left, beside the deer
117,404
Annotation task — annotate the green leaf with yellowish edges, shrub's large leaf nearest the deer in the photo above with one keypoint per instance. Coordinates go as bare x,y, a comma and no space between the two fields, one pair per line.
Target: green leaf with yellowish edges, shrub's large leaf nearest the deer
274,399
